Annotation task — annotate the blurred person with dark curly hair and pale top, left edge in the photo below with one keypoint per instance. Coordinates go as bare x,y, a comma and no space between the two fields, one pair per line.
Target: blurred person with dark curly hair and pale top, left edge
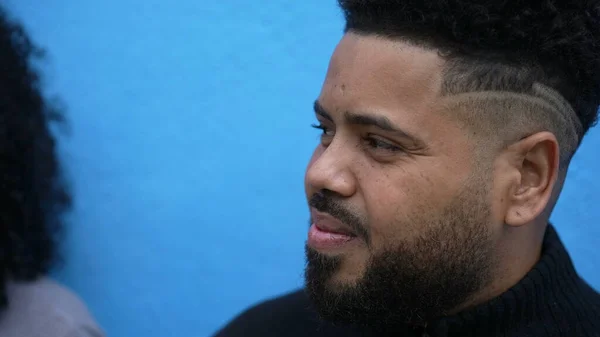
33,198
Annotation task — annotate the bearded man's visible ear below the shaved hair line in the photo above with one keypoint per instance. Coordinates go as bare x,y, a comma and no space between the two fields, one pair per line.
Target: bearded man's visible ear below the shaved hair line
535,159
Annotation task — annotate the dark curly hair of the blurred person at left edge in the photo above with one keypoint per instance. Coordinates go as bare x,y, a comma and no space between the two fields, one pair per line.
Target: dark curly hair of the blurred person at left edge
33,194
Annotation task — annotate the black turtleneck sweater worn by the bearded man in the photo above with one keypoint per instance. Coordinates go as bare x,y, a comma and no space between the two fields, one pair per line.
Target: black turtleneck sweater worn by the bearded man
551,300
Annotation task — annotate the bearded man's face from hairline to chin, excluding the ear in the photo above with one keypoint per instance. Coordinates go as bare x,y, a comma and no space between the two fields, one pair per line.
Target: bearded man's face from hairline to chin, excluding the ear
401,215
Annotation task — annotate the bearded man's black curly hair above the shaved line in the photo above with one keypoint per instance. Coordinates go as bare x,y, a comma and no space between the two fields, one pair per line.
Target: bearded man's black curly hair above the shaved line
498,45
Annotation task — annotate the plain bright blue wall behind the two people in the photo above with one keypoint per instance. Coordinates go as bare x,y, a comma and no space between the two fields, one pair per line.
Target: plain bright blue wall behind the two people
189,141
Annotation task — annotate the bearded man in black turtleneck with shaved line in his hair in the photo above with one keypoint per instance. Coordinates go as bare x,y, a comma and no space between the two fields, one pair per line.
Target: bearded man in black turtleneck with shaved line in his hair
448,127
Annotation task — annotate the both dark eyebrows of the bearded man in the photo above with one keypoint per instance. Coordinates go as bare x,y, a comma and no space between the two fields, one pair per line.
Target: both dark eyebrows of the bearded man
380,122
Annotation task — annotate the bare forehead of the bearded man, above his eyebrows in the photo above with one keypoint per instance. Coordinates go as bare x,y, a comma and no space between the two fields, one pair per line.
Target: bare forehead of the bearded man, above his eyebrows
368,72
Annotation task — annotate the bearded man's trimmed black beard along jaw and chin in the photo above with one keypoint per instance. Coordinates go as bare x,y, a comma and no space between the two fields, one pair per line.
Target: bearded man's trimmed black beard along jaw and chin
412,283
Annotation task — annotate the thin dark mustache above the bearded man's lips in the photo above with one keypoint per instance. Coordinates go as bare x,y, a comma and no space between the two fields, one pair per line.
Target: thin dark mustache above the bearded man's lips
327,203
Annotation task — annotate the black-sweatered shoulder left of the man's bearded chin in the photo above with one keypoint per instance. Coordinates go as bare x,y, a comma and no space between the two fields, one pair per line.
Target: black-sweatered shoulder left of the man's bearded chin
287,315
